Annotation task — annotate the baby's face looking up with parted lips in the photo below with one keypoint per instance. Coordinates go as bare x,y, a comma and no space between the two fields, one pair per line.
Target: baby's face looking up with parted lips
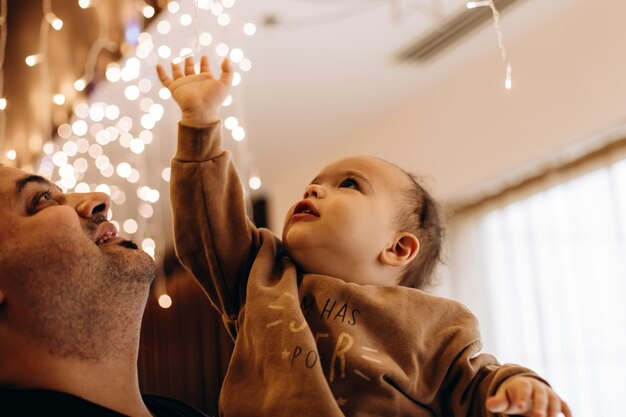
346,219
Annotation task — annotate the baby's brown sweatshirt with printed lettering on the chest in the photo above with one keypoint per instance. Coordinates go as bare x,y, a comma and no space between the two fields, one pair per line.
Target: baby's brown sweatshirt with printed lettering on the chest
313,345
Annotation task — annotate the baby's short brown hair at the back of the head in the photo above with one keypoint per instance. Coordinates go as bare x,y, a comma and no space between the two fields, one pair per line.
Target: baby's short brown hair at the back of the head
420,214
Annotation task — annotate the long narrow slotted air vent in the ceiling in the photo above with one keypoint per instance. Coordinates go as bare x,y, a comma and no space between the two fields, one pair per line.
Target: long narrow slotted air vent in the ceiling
451,31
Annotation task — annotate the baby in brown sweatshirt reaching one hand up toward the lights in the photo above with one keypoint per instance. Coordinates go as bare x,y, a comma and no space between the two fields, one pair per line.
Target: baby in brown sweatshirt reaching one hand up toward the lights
329,321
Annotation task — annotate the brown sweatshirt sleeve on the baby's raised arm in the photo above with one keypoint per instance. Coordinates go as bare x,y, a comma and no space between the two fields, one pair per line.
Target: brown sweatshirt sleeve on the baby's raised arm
214,238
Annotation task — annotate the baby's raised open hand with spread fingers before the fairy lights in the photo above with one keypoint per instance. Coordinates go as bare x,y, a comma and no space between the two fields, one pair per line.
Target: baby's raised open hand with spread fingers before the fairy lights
199,96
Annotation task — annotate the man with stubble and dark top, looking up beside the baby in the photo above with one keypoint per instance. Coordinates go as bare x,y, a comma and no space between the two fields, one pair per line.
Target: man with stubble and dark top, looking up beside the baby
72,295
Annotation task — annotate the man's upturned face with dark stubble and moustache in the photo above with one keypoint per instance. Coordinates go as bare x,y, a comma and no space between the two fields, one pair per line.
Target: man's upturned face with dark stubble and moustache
61,264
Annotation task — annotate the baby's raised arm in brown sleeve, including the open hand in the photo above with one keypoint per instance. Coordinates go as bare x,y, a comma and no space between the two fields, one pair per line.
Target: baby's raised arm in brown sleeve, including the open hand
214,238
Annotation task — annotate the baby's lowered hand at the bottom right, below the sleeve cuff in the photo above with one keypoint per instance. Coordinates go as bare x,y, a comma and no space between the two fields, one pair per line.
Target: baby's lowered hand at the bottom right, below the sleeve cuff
526,396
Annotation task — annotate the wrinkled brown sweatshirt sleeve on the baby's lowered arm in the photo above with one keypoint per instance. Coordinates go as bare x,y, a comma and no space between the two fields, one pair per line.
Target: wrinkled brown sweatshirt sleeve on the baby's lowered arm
468,377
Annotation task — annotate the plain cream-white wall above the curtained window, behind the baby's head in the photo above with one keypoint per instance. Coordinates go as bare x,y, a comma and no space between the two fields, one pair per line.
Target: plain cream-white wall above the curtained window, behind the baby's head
569,83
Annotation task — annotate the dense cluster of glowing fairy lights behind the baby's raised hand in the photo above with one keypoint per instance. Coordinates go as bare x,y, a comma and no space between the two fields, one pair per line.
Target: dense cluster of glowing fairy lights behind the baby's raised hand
99,129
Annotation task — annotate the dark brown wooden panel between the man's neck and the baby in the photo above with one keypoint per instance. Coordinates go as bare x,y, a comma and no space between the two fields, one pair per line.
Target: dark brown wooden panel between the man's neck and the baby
184,350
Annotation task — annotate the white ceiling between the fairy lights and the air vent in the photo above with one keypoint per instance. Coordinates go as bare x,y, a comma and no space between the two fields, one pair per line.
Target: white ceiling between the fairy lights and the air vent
328,68
